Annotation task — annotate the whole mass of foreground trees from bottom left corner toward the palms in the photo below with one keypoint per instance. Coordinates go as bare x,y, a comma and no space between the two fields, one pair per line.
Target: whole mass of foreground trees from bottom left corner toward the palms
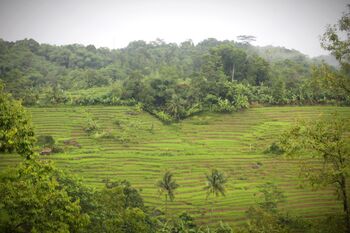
37,197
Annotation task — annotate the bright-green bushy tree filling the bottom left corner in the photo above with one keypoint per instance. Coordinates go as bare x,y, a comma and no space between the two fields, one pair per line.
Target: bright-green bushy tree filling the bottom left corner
32,199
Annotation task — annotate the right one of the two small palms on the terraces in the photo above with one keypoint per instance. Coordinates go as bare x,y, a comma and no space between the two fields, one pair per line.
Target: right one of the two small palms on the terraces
215,185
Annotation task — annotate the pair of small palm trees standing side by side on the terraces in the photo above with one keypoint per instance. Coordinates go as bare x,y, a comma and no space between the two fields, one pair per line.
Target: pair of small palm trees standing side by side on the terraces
215,186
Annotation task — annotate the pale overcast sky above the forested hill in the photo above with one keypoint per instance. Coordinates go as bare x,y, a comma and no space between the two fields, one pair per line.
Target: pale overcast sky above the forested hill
294,24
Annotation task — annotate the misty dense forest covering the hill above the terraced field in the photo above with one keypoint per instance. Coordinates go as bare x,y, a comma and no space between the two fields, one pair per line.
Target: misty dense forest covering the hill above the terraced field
175,81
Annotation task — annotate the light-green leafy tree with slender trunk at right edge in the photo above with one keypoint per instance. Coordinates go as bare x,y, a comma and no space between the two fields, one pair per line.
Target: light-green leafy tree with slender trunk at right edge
327,140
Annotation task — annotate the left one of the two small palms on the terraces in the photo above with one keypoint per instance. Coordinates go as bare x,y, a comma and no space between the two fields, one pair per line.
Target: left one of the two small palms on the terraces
167,185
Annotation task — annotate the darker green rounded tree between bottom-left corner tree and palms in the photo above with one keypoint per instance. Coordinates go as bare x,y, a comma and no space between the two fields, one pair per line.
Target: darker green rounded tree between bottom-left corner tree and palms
120,208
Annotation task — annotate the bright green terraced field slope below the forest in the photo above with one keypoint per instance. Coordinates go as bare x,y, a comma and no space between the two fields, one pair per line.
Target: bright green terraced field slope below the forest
231,142
